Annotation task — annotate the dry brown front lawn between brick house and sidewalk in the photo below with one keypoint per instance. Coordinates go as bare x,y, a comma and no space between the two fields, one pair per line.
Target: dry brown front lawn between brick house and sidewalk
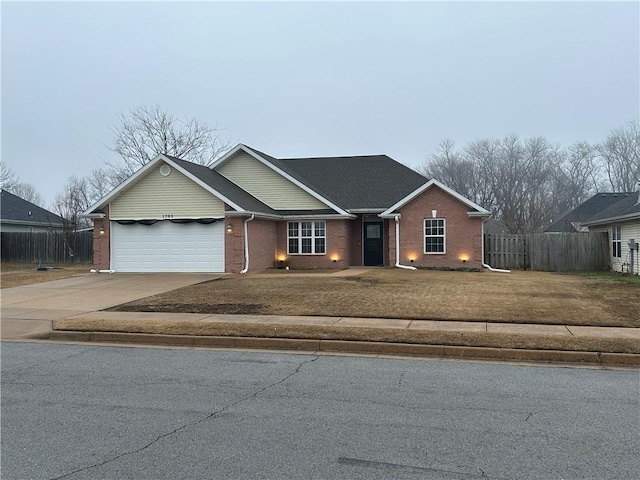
518,297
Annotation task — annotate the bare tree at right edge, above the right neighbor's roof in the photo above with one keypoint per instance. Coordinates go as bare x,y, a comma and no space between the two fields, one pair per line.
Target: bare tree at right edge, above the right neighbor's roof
620,153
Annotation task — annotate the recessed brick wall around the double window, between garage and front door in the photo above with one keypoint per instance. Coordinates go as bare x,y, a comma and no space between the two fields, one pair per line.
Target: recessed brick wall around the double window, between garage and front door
338,247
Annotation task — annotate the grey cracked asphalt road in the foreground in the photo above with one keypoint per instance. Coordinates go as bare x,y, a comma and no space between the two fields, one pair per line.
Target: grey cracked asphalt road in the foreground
85,412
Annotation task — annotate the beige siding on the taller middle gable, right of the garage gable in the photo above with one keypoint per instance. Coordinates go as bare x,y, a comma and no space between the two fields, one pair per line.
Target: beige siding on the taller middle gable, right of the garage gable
266,185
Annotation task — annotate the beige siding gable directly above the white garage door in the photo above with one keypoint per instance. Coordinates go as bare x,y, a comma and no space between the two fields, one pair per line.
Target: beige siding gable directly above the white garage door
155,197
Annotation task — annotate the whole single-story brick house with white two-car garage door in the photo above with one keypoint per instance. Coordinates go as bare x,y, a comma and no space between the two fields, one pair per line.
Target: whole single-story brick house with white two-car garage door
254,211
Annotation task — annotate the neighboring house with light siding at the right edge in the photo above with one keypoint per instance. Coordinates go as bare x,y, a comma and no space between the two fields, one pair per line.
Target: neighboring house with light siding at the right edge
617,214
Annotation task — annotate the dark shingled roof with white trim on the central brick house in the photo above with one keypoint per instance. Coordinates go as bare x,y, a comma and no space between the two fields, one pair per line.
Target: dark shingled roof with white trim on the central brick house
346,185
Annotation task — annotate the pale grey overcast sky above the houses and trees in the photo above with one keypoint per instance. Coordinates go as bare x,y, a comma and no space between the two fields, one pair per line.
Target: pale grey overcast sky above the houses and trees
298,79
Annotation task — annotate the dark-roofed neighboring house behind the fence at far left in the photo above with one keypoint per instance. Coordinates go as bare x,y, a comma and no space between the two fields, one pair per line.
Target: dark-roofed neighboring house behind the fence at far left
18,215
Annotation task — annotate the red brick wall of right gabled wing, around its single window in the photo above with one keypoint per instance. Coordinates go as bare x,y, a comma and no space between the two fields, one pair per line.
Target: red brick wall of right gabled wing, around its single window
463,234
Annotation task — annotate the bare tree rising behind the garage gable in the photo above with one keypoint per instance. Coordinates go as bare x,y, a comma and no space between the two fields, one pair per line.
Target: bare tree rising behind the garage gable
148,131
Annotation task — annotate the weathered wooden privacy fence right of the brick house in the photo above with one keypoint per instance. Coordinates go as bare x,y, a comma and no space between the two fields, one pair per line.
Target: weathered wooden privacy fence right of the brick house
548,252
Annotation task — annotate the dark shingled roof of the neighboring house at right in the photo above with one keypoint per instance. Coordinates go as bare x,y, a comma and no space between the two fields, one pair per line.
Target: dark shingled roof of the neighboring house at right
599,207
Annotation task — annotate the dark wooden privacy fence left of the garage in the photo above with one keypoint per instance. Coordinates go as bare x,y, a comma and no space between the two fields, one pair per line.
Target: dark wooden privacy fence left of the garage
46,246
